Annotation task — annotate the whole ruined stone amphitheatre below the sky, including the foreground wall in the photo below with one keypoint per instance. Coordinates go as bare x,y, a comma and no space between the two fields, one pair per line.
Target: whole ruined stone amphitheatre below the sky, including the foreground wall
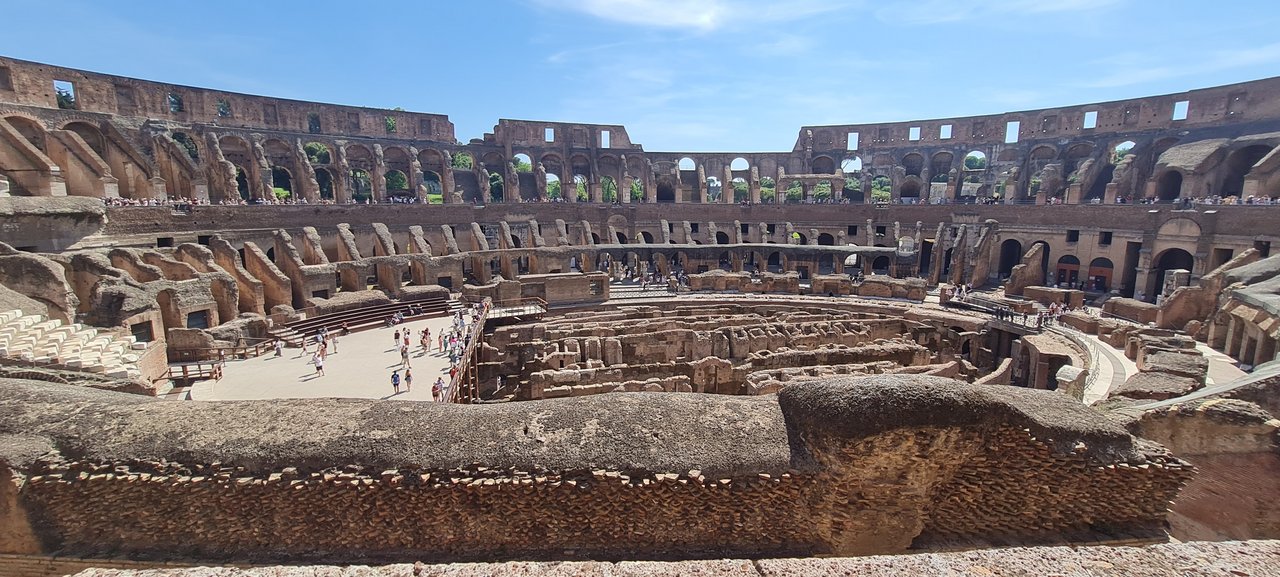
1039,333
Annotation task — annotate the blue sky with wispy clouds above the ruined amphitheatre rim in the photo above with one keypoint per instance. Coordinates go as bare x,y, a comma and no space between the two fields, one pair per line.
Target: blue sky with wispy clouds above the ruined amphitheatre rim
680,75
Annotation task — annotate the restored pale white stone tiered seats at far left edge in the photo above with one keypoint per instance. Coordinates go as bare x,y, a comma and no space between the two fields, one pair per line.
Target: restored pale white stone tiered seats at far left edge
38,340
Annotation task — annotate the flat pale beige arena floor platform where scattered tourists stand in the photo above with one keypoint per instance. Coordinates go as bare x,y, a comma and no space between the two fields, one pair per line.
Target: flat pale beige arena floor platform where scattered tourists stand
362,369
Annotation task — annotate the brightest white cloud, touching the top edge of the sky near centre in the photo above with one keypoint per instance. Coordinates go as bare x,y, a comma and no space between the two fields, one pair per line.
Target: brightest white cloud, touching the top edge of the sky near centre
703,16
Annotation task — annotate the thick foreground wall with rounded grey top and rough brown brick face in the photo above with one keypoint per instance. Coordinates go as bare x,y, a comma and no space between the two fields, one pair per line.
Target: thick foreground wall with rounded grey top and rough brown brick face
825,469
